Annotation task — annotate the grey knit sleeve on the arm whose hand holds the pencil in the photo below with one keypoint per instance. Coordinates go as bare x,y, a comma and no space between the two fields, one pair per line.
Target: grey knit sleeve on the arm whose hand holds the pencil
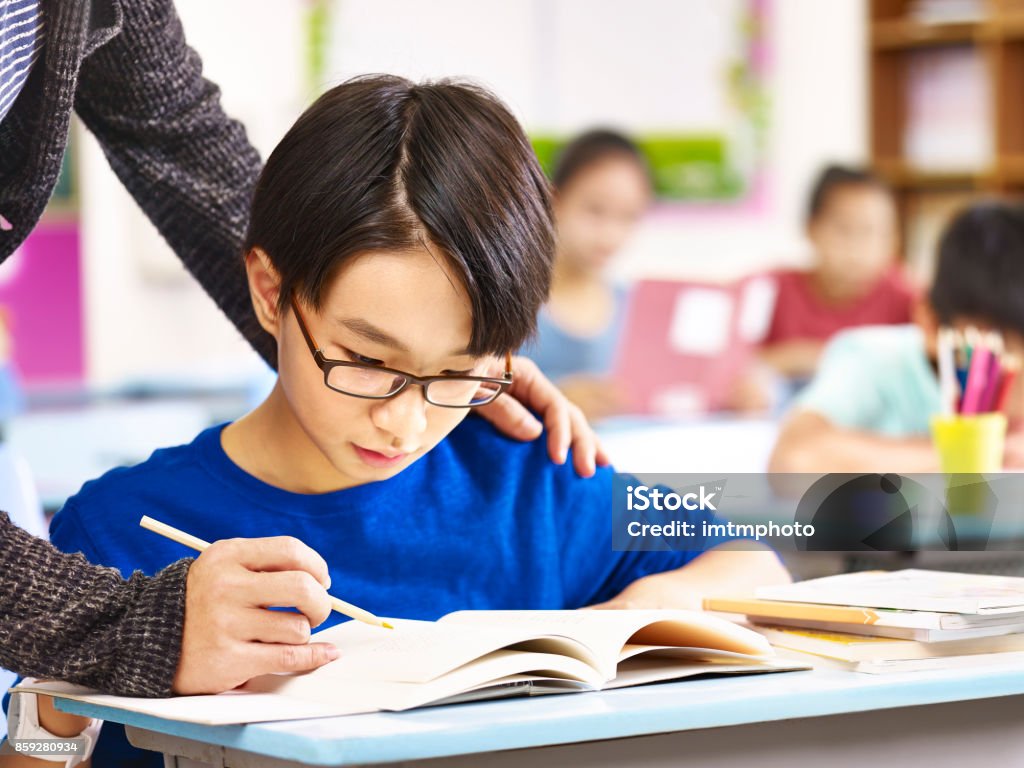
63,618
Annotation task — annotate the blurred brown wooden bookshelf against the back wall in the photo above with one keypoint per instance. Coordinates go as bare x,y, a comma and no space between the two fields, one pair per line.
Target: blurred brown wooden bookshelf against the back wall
947,111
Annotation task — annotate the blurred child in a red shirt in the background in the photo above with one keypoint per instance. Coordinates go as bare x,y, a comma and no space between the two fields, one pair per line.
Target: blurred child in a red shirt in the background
851,224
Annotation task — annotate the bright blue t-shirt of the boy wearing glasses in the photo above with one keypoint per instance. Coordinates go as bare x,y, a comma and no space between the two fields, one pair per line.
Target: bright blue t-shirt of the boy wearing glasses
482,522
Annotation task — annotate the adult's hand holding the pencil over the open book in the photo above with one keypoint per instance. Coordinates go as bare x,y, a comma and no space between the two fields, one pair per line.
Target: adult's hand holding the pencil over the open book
230,636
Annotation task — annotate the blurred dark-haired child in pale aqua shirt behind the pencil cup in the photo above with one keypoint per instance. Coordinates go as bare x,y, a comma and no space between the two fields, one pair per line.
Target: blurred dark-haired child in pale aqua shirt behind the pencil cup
869,407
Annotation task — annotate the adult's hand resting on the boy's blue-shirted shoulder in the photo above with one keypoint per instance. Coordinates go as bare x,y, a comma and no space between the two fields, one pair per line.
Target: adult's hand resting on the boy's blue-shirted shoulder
566,423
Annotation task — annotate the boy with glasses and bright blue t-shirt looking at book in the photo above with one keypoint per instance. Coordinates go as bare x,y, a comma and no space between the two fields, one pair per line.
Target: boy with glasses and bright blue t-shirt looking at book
400,247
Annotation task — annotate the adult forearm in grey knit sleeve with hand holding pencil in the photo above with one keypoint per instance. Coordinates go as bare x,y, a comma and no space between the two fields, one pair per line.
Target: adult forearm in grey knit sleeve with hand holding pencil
66,619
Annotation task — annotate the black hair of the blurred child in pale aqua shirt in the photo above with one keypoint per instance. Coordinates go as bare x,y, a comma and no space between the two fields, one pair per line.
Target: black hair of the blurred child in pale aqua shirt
980,272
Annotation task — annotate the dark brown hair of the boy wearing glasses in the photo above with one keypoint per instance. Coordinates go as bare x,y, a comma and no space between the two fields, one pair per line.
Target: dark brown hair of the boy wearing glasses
381,163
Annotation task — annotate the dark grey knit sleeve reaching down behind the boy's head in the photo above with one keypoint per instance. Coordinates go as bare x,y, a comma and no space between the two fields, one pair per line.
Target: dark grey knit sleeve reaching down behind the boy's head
189,166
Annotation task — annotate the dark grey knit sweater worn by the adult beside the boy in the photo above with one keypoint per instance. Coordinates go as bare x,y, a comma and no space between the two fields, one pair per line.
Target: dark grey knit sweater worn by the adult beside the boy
124,67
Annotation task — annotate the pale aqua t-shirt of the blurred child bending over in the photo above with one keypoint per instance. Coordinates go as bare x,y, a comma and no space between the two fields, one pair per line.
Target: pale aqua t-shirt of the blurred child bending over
877,379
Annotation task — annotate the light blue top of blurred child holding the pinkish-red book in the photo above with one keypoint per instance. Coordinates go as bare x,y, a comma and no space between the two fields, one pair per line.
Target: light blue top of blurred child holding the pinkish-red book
561,354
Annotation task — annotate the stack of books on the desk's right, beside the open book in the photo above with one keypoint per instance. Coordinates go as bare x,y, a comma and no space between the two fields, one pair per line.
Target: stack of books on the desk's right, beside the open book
879,622
